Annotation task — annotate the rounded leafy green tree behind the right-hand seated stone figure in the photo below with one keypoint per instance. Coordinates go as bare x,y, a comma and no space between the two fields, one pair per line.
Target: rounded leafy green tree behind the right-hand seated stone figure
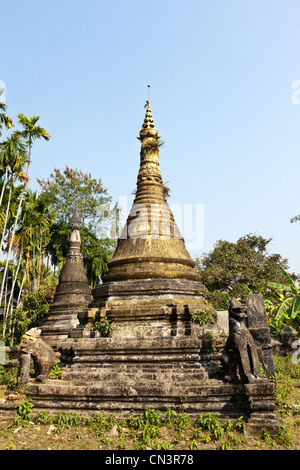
230,265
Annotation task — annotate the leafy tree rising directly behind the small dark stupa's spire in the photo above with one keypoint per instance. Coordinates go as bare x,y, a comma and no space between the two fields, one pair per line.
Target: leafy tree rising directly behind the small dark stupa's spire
63,189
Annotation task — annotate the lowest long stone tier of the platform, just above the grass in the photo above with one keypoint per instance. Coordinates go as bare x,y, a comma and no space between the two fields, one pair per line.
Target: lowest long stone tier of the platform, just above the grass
124,398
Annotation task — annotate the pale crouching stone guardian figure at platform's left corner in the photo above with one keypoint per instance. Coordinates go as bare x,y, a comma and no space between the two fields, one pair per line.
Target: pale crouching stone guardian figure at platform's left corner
44,358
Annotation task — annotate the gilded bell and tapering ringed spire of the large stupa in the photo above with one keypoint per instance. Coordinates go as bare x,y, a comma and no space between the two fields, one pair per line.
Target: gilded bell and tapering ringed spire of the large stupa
151,245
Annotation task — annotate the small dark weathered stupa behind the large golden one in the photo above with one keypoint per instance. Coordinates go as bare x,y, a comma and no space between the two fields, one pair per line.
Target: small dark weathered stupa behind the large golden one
72,293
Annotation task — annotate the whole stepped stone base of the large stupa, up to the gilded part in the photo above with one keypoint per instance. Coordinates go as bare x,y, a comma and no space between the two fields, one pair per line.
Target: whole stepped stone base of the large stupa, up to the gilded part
161,364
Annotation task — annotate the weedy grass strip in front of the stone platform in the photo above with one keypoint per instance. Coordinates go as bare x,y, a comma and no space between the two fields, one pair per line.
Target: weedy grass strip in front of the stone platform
155,430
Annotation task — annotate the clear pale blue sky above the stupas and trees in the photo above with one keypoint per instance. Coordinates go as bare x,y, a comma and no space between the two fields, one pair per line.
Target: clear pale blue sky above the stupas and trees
222,74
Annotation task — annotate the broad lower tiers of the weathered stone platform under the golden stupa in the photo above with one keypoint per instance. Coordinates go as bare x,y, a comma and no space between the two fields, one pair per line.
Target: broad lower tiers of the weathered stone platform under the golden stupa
171,373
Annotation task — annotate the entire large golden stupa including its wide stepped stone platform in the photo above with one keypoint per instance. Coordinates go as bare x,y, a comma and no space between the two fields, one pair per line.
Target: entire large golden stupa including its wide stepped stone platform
149,339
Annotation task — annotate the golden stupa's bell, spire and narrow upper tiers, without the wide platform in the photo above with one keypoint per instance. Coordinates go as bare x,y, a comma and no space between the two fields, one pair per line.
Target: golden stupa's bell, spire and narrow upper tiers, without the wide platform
151,280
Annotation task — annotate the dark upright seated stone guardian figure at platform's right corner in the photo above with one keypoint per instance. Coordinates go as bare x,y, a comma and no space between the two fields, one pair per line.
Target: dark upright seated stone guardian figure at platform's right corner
240,354
